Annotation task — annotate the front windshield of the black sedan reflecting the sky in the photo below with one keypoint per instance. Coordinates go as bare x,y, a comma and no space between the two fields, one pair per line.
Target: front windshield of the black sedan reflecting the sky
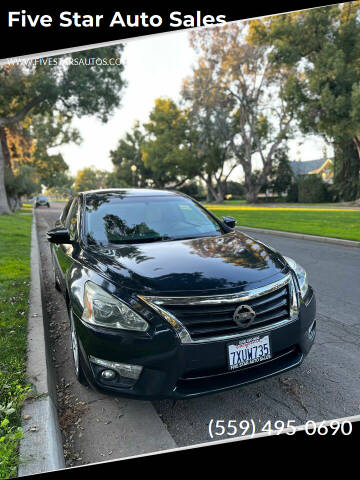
118,220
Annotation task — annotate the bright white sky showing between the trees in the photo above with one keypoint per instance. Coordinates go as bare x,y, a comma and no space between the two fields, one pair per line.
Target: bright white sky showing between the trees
155,66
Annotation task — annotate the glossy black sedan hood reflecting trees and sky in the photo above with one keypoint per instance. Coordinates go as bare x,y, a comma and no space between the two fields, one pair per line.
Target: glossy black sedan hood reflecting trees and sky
226,263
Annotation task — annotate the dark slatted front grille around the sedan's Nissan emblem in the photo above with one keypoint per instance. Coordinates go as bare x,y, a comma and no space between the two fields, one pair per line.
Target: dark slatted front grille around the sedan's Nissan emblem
204,321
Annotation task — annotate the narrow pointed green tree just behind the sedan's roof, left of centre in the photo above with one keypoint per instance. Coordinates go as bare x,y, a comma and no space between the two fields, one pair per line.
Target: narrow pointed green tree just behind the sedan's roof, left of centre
128,154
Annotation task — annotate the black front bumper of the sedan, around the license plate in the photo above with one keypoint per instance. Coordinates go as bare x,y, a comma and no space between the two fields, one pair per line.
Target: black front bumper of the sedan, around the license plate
178,371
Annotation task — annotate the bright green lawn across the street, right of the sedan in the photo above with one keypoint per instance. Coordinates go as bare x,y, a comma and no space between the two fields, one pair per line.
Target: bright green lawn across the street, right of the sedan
337,224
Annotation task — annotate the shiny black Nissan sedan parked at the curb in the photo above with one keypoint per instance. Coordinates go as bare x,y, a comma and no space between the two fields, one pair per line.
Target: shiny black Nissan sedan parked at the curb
167,301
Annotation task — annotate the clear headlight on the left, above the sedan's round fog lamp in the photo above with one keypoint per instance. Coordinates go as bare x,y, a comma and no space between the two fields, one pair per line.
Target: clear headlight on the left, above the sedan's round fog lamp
101,308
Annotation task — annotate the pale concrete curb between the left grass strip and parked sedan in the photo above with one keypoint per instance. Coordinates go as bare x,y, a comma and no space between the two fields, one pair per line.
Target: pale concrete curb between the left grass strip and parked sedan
41,445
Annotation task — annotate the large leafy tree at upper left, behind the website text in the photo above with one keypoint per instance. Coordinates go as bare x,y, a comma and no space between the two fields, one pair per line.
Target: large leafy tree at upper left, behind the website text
71,86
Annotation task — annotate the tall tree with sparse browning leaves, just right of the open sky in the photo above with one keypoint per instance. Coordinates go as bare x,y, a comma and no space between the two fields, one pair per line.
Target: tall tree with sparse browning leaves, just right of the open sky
237,96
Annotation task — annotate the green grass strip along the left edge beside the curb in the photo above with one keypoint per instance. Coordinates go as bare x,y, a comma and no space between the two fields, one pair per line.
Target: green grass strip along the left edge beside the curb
14,292
